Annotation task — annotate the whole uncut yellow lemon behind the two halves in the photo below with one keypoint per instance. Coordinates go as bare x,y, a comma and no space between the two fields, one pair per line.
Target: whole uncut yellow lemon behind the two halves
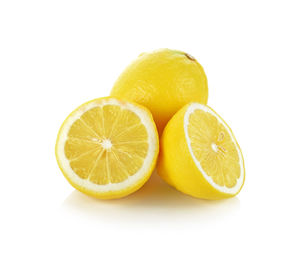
164,81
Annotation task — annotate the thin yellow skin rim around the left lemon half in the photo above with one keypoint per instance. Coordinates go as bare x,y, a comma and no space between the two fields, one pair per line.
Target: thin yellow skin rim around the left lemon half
109,194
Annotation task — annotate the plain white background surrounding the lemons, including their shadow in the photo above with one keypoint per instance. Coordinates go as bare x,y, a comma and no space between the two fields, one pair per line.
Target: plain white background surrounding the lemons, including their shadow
56,55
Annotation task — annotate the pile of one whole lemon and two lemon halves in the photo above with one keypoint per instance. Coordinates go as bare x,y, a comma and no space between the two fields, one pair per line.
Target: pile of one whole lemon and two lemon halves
156,116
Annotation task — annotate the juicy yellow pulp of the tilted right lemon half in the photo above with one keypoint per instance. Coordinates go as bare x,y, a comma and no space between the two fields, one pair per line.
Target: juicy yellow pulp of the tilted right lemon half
214,148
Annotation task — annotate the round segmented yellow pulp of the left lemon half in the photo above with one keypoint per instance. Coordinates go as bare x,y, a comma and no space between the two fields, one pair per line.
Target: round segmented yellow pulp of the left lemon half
106,145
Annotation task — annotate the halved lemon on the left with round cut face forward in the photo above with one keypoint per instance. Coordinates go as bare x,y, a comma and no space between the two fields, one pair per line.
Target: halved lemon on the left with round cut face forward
107,148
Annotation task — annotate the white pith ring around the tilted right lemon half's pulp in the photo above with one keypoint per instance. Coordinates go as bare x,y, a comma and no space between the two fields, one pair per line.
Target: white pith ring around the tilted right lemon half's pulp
224,189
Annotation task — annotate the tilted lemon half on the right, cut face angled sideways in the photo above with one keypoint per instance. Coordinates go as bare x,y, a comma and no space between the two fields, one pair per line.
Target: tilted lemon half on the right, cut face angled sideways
199,154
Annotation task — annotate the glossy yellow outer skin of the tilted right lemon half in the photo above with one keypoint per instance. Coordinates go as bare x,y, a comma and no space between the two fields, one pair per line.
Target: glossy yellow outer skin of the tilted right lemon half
176,165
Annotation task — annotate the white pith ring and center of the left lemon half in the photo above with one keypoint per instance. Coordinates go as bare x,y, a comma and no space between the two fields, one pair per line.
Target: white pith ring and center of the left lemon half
131,180
